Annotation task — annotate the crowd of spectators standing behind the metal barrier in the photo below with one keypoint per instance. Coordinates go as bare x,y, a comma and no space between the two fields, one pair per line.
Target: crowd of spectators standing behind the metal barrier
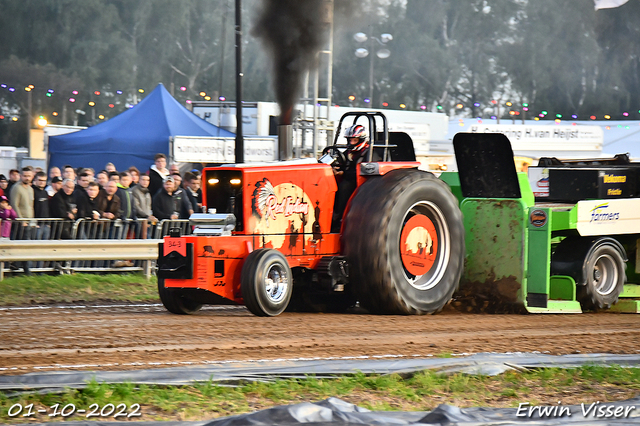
71,194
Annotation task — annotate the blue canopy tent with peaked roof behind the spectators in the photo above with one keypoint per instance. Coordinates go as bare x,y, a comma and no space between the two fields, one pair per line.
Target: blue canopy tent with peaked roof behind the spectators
133,137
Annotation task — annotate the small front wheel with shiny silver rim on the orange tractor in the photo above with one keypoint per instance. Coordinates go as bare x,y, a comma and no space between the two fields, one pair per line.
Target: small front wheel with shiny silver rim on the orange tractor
266,282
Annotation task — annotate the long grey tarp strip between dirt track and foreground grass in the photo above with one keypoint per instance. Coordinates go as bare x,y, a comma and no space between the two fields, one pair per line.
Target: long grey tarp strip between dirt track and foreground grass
270,370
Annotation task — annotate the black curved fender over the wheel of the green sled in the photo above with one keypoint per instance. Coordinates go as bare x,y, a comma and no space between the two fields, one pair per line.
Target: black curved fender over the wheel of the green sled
568,258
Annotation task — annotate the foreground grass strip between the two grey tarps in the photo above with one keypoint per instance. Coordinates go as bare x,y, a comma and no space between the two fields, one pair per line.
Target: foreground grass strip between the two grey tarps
421,392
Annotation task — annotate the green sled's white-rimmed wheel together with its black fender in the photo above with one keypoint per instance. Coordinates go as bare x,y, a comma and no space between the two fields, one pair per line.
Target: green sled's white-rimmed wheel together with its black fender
598,267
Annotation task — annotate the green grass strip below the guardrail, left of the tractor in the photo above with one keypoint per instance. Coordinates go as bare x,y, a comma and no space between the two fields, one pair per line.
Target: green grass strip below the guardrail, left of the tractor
42,289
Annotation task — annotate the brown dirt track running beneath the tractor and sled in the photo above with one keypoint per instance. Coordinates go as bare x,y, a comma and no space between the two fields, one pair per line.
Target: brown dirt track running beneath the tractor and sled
119,336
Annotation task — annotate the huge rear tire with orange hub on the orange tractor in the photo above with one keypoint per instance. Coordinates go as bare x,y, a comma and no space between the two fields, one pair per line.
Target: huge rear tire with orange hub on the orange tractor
404,241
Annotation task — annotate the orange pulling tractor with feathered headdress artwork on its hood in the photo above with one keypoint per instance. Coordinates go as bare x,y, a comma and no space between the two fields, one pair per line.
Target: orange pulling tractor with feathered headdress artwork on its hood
268,244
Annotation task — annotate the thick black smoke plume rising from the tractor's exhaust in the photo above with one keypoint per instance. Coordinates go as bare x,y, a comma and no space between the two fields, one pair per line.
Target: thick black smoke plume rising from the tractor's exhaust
293,32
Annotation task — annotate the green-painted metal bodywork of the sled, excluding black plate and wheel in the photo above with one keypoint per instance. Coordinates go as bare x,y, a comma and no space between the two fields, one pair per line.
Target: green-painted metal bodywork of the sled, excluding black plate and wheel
508,255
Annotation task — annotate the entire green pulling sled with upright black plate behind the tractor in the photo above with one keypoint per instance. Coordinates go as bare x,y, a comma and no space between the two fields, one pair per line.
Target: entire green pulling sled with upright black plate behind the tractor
562,239
